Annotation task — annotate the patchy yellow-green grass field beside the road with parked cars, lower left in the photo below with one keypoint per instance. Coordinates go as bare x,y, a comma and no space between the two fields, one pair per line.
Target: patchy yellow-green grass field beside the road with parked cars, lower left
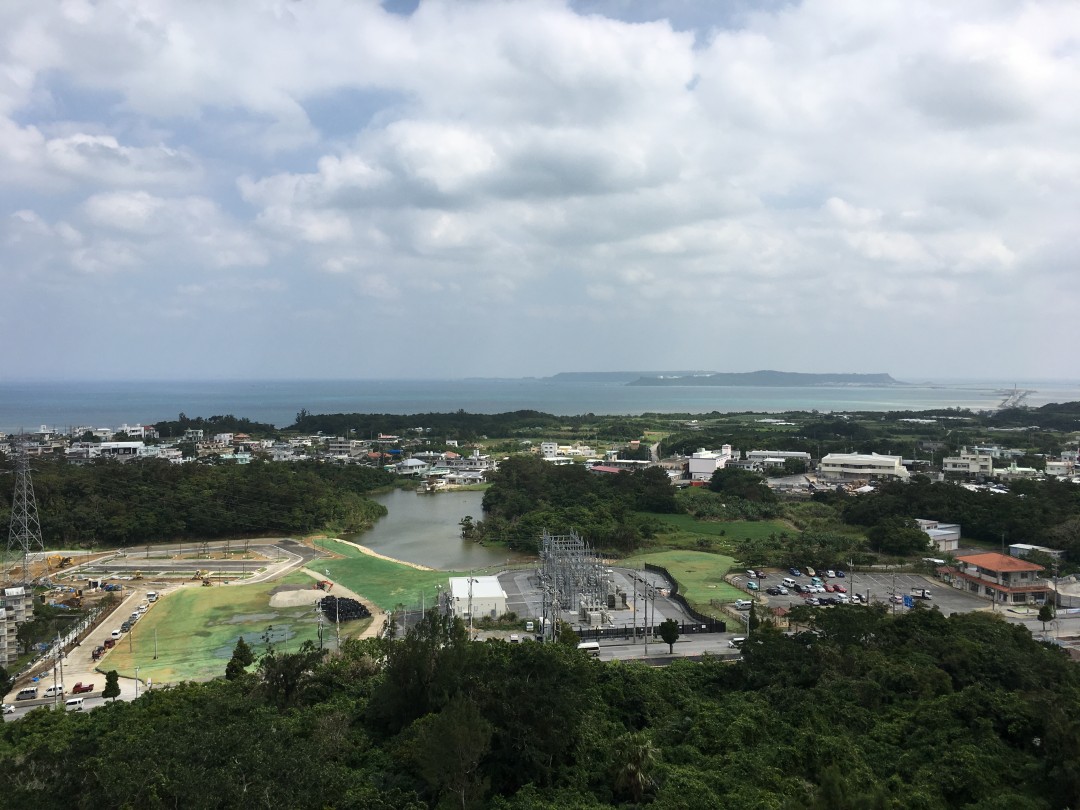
197,629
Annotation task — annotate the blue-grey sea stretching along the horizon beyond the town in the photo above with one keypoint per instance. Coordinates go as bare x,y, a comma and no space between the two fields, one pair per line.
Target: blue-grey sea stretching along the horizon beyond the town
91,404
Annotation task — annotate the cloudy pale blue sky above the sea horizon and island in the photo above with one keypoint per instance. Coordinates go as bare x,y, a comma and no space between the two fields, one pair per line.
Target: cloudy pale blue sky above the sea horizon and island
445,190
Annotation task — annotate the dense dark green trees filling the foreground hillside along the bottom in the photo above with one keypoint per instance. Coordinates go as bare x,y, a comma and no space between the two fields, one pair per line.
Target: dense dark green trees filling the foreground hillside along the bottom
859,710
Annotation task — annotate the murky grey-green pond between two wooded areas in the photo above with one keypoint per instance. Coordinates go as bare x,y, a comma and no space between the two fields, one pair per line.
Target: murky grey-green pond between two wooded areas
425,530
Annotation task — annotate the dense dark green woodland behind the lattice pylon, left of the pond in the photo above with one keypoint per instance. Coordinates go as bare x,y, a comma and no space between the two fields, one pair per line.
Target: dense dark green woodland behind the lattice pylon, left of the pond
112,504
